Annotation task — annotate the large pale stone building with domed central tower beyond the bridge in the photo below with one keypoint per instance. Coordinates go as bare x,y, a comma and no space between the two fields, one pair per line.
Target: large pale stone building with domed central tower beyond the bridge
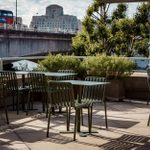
55,21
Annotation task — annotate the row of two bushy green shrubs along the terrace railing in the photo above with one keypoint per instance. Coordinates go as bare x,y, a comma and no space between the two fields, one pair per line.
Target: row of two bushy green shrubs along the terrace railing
112,67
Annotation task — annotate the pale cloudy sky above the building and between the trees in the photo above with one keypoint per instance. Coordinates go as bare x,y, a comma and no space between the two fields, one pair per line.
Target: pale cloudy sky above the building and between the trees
28,8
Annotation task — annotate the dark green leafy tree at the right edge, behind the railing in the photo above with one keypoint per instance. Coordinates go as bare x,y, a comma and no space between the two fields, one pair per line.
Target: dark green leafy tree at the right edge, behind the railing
131,35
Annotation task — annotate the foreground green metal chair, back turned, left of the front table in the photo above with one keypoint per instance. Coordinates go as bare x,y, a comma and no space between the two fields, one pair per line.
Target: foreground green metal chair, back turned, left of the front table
62,95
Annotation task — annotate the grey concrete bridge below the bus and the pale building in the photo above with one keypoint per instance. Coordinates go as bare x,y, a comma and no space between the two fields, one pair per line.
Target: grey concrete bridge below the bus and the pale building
27,43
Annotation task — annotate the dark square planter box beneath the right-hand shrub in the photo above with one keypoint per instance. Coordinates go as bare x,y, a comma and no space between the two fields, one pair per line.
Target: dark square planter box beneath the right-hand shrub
115,90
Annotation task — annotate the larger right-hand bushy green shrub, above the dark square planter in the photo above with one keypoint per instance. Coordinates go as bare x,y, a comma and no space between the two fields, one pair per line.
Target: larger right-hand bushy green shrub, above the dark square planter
112,67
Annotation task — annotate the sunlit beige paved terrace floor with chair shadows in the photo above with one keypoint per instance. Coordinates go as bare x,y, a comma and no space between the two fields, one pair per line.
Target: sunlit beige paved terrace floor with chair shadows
127,129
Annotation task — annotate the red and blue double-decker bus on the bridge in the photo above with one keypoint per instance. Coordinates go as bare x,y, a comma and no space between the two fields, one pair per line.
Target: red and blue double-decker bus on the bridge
6,19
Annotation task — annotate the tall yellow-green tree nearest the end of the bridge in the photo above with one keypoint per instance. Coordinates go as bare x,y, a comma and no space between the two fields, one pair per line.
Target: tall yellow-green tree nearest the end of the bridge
95,30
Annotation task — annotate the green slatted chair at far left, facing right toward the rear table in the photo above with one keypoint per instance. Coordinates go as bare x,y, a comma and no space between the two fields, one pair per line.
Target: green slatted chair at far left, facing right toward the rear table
9,79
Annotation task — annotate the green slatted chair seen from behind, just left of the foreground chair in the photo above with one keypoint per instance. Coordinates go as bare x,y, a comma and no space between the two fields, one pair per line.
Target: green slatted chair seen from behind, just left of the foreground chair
37,83
